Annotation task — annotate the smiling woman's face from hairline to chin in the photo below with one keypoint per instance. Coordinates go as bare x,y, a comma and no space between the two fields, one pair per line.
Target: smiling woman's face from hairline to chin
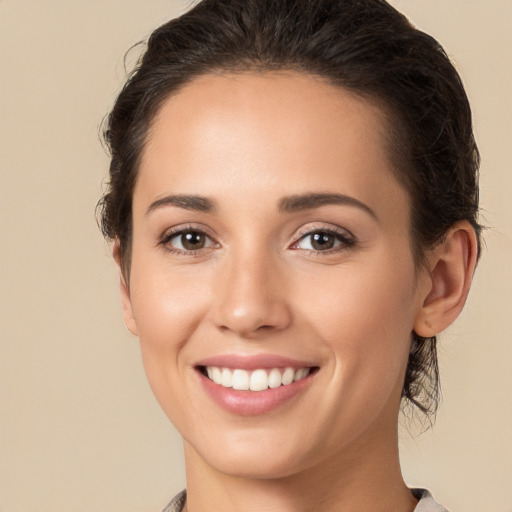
271,242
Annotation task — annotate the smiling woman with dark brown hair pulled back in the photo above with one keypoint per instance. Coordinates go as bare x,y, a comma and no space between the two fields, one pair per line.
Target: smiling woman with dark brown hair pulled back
293,207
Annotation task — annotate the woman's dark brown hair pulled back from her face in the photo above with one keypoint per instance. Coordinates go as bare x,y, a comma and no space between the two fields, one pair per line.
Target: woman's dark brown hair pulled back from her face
364,46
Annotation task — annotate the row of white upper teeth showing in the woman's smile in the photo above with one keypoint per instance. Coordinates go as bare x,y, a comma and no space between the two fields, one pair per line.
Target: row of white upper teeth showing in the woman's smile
257,380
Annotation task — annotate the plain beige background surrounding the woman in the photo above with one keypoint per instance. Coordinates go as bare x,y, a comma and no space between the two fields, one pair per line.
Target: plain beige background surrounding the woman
79,428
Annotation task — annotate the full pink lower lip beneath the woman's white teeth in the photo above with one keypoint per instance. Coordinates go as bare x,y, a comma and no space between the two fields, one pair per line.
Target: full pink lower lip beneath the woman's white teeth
250,403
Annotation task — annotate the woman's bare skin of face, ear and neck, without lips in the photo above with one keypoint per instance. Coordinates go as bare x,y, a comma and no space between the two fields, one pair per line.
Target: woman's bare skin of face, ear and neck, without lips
245,142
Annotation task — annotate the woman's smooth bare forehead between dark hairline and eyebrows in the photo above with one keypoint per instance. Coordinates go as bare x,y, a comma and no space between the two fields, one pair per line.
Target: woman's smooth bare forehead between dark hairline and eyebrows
286,133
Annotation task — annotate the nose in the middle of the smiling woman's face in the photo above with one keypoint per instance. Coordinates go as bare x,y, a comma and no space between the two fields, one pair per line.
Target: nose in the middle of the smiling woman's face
250,297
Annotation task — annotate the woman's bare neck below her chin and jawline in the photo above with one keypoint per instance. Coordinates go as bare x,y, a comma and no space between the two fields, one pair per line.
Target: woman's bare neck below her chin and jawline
364,477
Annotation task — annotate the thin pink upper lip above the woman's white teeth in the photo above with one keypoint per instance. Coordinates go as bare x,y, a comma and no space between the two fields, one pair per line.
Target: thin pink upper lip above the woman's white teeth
254,362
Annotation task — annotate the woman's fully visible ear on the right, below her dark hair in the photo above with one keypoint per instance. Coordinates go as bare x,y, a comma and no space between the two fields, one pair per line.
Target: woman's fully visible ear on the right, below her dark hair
451,265
